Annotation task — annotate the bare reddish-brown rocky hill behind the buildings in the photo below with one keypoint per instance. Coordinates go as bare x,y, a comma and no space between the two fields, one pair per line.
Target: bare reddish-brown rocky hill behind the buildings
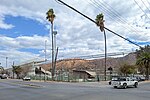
78,64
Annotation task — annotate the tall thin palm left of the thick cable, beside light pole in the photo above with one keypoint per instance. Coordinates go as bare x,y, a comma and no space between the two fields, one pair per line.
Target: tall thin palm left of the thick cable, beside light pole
50,17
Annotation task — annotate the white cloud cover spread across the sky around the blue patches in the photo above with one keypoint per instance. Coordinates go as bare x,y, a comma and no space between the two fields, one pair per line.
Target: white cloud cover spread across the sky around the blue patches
77,35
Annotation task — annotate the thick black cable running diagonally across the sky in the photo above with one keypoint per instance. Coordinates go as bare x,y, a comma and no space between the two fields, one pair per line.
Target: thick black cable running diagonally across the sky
95,23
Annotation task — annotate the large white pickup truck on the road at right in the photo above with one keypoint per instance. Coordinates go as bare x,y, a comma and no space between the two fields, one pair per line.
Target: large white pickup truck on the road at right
124,82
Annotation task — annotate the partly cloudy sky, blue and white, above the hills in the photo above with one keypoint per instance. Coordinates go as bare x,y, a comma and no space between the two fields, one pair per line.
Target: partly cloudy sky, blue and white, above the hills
25,32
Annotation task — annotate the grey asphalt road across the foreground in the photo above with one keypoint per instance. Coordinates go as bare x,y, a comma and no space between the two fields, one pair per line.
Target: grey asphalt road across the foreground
19,90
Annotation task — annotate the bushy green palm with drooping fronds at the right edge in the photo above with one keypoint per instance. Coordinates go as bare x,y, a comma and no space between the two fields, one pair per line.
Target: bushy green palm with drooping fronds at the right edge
144,60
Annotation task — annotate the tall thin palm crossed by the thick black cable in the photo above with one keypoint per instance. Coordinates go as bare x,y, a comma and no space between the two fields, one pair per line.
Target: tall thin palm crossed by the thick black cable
100,23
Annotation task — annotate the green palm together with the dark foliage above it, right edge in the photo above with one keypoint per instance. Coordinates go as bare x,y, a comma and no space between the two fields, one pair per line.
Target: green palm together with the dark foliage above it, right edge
143,60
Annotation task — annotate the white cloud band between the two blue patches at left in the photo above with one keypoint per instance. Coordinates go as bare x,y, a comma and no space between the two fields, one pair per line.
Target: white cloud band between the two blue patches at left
33,42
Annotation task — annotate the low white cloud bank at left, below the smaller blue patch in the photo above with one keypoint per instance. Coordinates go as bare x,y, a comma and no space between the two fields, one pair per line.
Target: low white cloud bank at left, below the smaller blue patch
16,56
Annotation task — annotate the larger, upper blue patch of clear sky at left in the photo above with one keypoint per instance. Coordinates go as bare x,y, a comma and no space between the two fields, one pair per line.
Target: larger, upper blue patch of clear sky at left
23,26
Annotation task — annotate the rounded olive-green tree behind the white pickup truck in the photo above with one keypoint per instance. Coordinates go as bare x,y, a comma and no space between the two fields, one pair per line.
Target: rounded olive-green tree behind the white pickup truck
126,69
